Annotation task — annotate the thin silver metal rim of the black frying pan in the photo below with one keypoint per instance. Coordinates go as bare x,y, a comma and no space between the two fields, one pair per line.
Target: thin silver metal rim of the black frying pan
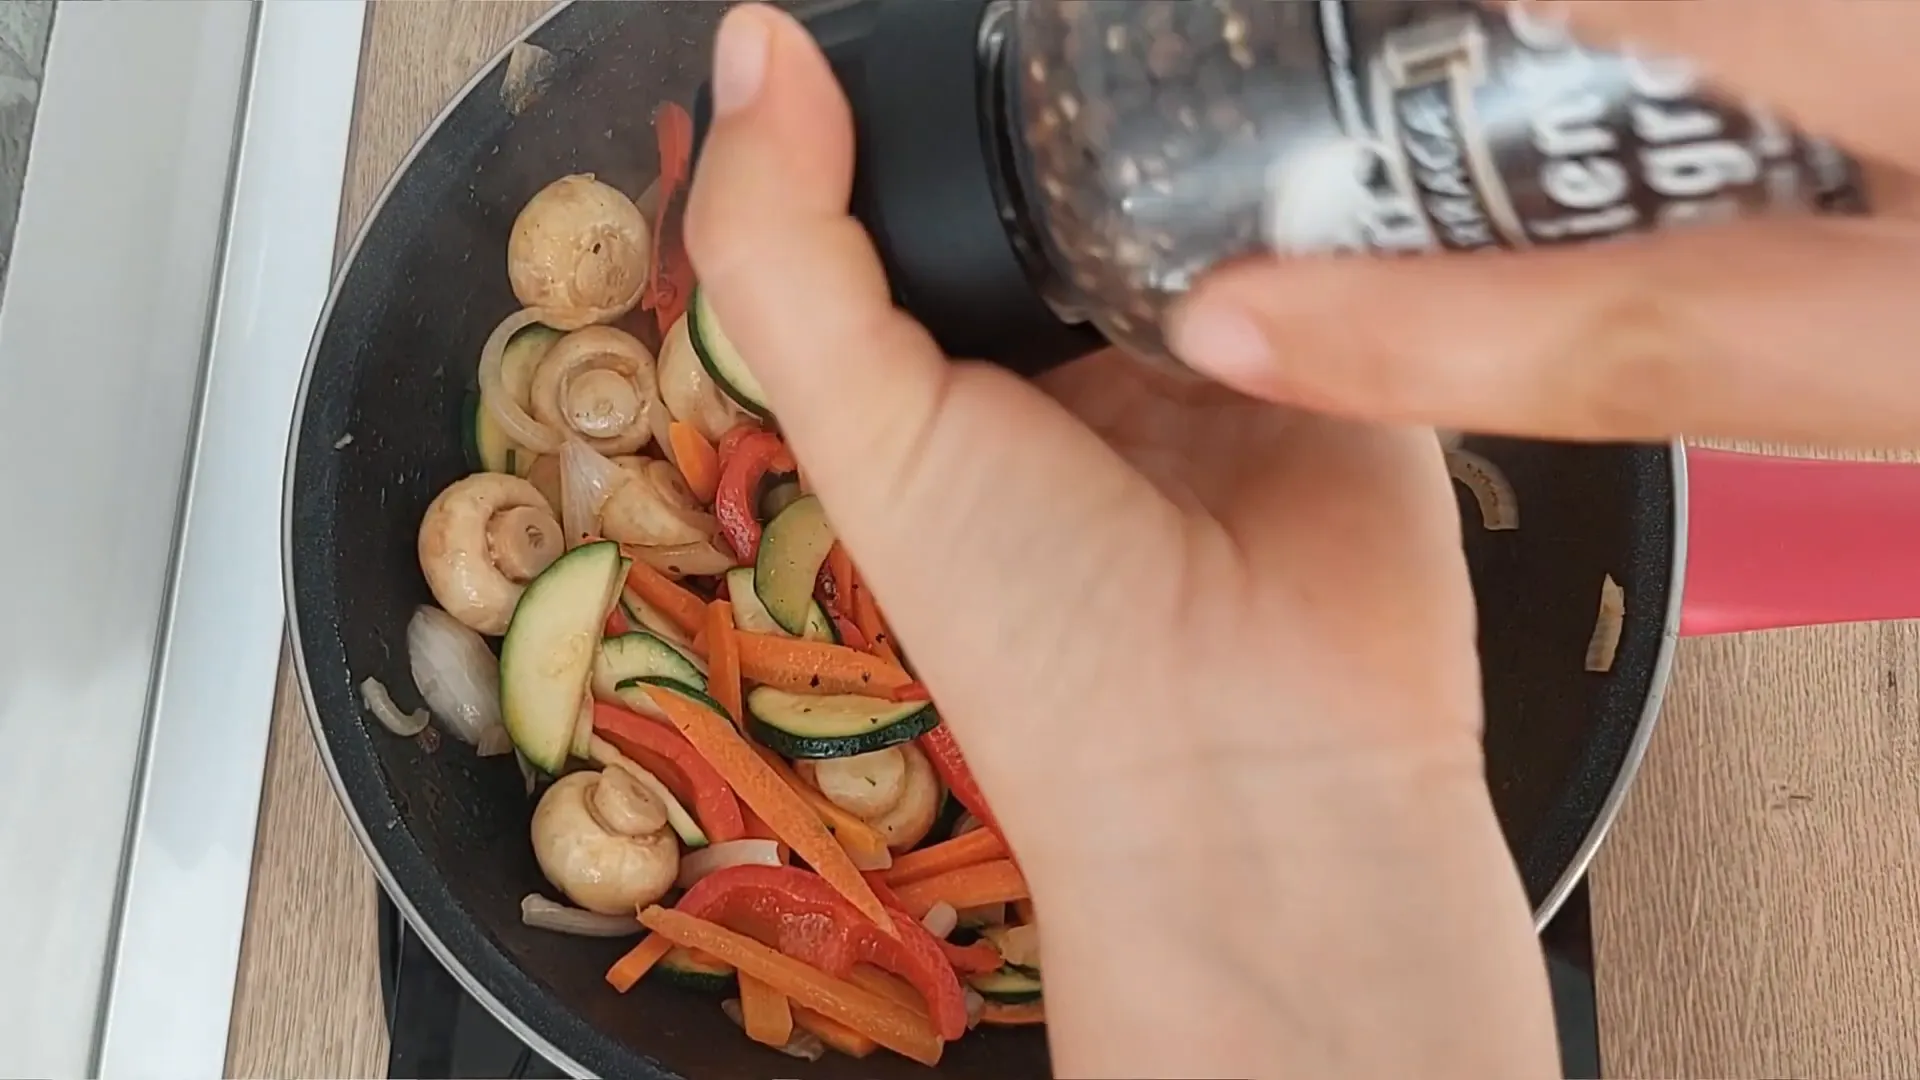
469,983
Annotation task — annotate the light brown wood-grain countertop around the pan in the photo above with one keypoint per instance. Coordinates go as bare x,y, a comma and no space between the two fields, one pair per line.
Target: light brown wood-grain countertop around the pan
1756,912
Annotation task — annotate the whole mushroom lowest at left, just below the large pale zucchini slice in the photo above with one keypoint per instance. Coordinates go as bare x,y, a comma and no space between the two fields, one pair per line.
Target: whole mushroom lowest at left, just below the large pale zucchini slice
602,839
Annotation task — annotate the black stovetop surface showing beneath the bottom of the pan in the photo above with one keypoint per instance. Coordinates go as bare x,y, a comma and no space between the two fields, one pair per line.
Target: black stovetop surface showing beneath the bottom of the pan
441,1033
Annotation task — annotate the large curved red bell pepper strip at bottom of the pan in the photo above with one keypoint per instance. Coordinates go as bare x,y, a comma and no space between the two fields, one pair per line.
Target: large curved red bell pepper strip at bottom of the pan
804,918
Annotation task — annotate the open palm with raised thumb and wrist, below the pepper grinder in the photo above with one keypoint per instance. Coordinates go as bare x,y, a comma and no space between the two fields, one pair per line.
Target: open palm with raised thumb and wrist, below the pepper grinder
1212,662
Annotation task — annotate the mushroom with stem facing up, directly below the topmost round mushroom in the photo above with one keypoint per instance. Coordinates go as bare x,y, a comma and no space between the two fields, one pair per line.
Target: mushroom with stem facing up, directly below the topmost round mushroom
600,387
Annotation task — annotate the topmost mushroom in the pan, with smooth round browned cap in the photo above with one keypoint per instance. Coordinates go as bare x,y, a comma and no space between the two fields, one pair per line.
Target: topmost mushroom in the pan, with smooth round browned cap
579,253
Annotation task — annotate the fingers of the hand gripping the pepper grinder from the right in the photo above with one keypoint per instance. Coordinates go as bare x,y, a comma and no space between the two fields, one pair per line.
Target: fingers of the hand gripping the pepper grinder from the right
1794,331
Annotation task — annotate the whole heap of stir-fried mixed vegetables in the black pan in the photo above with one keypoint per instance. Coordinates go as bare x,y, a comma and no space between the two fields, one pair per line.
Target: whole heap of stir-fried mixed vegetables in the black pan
694,679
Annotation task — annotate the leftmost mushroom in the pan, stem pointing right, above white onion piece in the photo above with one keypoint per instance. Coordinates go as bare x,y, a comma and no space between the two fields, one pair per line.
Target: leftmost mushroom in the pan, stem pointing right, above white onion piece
483,539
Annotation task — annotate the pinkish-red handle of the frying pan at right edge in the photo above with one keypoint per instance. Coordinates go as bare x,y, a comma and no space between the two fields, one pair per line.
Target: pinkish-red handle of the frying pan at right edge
1798,543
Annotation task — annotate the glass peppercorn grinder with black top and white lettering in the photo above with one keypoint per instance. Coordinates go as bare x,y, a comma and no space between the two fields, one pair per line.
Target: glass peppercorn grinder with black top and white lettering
1047,176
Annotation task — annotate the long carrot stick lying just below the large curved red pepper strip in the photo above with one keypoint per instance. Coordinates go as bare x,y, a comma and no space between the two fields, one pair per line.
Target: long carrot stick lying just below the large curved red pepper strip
888,1023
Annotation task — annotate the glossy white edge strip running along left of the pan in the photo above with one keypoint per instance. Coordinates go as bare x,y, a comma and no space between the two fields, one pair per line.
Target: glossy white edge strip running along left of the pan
170,966
